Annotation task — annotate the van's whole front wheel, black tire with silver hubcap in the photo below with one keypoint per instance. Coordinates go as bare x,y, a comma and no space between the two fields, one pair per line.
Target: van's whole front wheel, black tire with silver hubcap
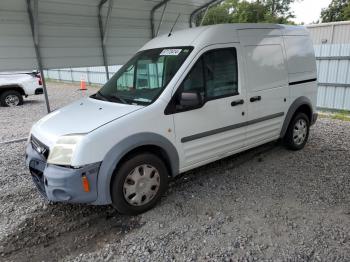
139,183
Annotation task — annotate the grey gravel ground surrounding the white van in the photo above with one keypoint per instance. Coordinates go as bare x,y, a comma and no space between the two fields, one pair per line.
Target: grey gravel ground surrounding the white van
266,204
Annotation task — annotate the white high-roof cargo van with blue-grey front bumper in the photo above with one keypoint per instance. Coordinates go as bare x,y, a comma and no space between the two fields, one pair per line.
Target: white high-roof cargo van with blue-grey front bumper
184,100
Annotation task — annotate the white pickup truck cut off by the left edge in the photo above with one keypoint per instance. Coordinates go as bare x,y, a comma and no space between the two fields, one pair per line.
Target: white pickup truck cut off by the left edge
15,85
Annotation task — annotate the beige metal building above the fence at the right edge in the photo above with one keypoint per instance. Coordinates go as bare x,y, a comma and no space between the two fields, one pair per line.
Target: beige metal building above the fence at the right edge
330,33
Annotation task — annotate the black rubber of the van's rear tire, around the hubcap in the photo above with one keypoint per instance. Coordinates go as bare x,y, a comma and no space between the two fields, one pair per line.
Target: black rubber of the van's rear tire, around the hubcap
289,137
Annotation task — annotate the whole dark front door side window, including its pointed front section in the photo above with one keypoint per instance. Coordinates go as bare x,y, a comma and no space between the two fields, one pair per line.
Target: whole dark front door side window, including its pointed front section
215,75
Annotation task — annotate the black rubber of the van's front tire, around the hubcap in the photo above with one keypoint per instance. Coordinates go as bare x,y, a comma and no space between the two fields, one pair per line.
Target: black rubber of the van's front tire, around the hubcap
119,201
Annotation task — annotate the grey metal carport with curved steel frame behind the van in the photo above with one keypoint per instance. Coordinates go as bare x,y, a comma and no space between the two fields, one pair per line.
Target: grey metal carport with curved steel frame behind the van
59,33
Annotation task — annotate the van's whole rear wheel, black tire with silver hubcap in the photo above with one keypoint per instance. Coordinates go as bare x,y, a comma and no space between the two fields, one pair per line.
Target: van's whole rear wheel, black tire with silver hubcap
298,132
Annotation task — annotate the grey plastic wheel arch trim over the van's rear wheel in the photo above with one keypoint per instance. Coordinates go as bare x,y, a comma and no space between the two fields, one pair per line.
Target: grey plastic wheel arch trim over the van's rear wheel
301,104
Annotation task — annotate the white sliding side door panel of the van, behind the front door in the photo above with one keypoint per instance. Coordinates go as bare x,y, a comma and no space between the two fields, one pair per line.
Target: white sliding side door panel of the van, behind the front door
266,83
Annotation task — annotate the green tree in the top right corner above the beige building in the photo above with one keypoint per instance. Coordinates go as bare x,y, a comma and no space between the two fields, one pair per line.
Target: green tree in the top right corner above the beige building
338,10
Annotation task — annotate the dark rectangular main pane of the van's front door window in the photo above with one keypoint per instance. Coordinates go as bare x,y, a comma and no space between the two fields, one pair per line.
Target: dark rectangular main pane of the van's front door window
221,74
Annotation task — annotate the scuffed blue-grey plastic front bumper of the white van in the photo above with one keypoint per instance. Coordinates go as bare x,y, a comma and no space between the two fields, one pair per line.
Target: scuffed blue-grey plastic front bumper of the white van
62,184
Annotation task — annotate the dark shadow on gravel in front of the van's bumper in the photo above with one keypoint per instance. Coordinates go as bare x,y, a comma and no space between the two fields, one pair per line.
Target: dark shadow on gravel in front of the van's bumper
59,230
